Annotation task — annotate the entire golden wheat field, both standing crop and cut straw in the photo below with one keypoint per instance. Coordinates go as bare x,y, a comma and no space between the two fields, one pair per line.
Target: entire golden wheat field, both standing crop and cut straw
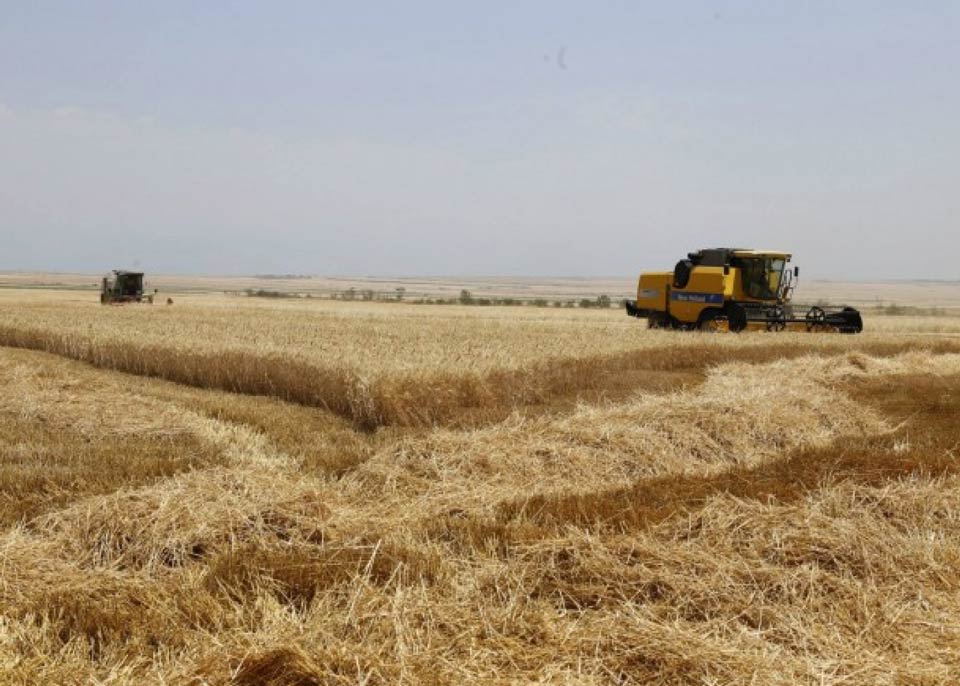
234,491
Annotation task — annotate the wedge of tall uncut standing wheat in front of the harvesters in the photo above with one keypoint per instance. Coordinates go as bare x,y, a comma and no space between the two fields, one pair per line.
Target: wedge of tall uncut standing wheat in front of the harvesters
403,365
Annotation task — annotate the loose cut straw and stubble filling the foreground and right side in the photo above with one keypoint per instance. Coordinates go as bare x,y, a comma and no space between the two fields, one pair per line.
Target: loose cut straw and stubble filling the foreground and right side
257,572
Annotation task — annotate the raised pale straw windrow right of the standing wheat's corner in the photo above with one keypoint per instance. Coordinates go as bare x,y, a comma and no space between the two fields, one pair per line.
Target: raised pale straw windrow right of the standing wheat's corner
740,415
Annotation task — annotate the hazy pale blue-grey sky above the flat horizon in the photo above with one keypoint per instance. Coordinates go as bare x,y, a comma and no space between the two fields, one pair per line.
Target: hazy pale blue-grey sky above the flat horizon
541,138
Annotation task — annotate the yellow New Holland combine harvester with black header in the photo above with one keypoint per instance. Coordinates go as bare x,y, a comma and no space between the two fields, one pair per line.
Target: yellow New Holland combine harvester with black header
732,288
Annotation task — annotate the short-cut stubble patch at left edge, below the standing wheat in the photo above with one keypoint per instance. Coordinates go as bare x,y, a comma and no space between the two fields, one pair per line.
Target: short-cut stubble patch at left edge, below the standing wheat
69,431
